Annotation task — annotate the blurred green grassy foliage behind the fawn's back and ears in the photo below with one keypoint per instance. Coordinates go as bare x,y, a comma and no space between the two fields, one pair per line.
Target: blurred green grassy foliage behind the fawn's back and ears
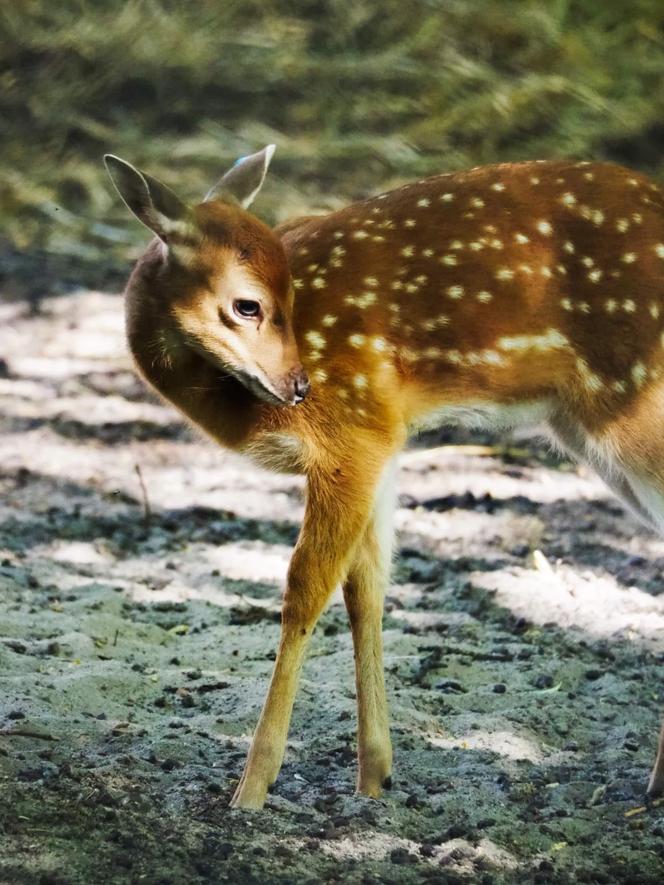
358,95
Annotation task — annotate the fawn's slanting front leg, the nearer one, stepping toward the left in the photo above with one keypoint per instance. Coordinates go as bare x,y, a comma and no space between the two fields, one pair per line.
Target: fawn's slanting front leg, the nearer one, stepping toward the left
335,517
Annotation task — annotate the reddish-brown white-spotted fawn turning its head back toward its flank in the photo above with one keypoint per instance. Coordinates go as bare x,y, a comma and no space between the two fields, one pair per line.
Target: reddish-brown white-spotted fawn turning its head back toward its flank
508,294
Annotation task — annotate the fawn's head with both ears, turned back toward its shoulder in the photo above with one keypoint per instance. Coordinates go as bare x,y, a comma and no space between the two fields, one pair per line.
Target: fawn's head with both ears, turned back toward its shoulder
219,282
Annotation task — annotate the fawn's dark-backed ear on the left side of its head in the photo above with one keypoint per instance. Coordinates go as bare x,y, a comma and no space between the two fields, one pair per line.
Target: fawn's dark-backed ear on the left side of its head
151,201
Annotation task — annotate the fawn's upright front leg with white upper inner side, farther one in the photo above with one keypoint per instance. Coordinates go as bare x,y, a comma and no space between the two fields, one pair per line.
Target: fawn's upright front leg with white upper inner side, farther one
364,590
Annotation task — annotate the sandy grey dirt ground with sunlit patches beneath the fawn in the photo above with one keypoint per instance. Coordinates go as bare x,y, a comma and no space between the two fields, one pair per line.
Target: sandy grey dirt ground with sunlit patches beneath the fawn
141,571
